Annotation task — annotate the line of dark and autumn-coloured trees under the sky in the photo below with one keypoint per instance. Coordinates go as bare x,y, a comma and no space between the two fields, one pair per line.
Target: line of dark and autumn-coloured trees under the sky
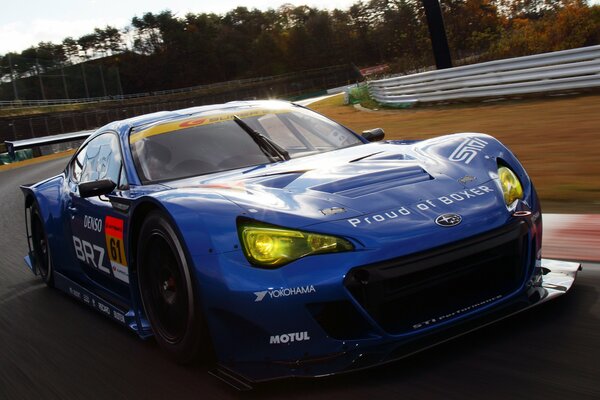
162,51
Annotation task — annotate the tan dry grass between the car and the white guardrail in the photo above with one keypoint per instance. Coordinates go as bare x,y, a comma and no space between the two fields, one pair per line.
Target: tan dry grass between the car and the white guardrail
556,139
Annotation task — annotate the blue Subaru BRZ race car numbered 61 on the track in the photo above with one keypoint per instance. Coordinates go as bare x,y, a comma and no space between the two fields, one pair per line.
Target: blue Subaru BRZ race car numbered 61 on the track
279,243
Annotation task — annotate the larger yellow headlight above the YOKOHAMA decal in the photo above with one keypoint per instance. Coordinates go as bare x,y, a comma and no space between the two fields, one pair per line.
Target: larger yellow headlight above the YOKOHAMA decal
273,247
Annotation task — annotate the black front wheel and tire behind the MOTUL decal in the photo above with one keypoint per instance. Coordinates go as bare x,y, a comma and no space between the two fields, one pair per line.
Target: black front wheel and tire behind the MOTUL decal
168,294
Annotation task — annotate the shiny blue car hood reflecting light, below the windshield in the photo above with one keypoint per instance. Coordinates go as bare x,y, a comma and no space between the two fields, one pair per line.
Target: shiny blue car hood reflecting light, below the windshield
361,180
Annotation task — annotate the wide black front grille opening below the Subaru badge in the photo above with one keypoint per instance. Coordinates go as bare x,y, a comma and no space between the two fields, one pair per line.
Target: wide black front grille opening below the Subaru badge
422,289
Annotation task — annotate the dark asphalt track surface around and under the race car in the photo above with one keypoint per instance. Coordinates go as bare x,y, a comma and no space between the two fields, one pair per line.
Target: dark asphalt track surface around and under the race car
52,347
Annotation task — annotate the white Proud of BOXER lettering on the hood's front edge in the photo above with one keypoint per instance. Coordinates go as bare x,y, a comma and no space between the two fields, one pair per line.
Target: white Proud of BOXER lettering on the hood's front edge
463,195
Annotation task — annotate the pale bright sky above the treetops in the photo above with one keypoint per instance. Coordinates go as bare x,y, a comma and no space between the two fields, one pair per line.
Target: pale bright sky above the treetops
24,23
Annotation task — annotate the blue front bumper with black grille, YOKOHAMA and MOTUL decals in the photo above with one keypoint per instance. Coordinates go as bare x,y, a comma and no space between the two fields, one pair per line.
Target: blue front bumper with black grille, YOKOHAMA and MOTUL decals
348,311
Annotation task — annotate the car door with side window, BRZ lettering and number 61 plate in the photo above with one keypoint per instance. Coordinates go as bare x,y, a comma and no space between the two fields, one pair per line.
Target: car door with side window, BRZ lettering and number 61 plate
96,228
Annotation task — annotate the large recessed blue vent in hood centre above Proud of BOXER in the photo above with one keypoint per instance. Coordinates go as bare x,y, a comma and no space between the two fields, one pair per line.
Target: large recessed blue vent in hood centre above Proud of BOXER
375,181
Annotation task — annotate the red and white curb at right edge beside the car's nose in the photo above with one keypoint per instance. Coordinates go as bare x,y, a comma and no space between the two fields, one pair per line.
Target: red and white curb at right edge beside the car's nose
571,237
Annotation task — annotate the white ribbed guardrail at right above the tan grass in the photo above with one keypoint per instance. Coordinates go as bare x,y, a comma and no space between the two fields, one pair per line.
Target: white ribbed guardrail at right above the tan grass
547,72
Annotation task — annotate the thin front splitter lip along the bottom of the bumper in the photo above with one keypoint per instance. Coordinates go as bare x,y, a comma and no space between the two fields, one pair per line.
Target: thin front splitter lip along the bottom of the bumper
557,279
